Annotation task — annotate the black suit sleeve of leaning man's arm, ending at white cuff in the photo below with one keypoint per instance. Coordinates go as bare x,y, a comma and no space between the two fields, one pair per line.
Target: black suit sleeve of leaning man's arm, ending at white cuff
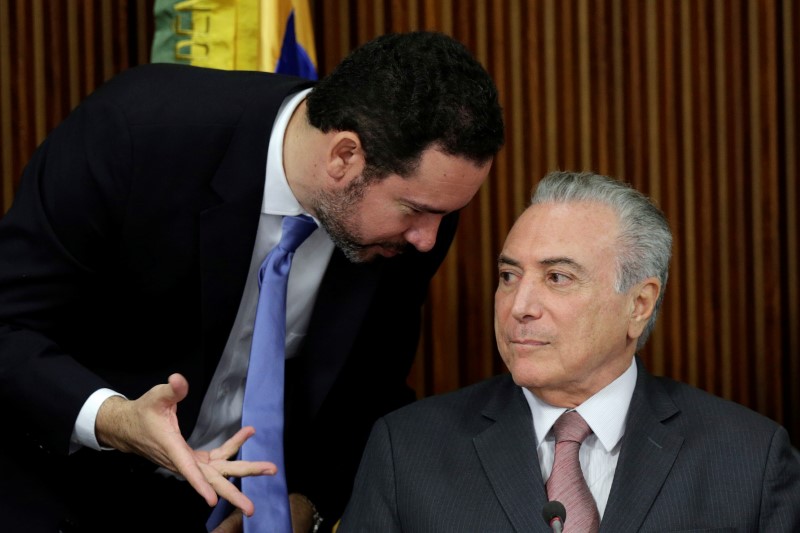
52,240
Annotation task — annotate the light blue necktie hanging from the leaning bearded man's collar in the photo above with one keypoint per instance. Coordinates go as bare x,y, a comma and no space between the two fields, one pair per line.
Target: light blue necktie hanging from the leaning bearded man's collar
263,395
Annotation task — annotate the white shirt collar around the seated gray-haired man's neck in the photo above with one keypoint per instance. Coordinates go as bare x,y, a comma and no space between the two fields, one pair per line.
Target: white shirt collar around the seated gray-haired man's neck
605,412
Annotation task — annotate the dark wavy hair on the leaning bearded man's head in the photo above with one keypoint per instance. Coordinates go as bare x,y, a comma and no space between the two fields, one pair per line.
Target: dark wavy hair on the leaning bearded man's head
405,92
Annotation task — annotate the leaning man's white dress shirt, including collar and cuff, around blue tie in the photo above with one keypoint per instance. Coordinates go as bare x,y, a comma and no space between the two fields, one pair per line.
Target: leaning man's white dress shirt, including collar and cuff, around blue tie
221,412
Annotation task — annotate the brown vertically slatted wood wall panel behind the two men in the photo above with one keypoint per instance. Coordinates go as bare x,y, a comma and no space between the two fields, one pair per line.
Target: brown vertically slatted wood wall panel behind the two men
694,102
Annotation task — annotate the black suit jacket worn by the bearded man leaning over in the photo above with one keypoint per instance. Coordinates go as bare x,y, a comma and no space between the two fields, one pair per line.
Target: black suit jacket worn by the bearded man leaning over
123,259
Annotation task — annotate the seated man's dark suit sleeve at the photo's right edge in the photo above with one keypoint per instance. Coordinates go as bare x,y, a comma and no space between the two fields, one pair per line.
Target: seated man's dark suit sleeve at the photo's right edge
780,501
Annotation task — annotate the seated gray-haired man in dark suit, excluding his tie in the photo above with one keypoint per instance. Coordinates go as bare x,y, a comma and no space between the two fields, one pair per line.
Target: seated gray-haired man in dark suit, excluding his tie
581,279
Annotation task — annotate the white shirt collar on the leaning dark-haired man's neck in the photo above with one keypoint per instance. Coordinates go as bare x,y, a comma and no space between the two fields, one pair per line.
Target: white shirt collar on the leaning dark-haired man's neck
278,196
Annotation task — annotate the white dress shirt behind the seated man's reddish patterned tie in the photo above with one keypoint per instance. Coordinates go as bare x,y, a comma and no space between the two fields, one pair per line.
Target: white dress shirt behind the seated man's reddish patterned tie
605,412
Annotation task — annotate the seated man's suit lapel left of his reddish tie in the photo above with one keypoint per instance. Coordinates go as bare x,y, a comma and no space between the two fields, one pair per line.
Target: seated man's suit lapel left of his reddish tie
507,452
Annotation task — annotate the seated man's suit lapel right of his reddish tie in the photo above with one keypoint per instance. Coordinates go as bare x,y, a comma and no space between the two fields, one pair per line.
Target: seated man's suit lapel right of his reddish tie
648,452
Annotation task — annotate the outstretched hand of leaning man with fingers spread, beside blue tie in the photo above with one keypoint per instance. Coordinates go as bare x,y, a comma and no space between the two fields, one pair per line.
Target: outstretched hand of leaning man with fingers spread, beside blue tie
148,426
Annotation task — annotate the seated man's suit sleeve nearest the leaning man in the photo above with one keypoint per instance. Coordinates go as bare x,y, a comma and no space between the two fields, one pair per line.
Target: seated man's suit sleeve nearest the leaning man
373,506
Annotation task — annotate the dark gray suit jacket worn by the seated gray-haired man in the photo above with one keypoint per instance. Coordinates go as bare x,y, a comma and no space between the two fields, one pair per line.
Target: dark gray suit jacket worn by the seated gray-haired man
466,461
